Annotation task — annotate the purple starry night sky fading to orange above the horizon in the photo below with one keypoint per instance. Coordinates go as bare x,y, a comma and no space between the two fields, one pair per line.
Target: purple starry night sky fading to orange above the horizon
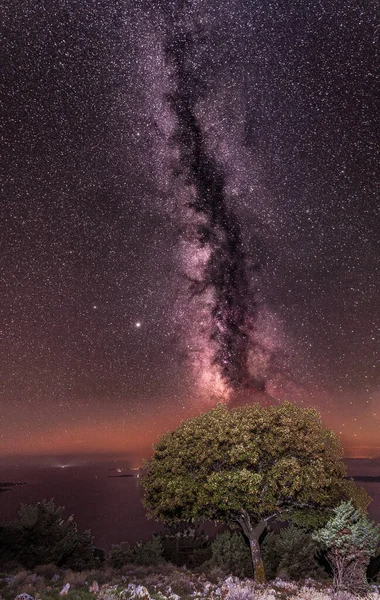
190,214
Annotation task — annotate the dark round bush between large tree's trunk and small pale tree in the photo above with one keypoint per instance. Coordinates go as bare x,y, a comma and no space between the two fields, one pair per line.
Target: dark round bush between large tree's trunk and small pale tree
291,554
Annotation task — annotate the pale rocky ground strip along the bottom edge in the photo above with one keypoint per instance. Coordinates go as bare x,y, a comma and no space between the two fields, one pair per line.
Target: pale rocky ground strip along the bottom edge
163,582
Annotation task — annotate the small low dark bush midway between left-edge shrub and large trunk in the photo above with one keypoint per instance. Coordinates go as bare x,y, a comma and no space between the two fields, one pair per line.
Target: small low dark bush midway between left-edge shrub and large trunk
142,553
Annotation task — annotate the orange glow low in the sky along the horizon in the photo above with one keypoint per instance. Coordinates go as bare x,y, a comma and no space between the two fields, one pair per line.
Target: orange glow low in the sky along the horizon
110,434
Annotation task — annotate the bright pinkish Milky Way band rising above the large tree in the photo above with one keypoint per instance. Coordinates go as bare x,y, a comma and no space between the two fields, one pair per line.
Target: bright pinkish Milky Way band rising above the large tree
223,331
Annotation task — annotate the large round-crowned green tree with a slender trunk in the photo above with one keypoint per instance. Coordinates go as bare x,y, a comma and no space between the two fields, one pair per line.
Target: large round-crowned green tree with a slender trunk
245,466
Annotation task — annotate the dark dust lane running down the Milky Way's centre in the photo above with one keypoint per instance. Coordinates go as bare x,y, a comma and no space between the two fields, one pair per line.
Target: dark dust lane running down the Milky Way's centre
216,228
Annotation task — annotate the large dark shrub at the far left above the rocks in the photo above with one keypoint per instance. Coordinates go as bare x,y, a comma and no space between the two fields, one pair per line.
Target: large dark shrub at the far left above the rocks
41,535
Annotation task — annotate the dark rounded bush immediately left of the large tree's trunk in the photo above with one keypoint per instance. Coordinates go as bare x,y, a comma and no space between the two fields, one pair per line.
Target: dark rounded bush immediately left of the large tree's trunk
231,554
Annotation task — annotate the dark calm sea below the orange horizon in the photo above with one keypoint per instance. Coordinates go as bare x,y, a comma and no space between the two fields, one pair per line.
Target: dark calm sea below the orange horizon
110,506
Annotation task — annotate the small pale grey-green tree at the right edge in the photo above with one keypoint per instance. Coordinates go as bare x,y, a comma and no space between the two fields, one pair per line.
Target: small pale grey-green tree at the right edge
351,539
